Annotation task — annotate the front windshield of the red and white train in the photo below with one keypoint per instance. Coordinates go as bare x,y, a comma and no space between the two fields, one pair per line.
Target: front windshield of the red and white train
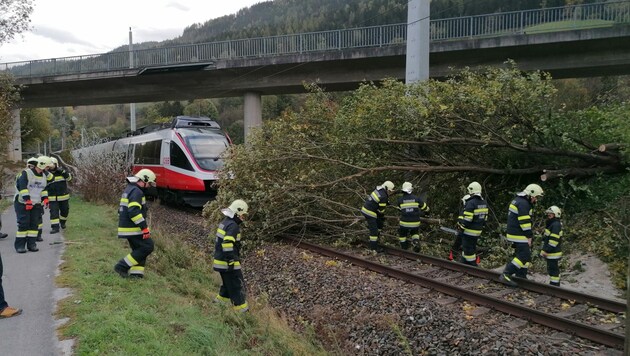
206,146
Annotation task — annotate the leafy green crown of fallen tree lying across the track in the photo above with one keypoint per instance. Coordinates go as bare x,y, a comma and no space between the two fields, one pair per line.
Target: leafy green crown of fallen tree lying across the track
307,173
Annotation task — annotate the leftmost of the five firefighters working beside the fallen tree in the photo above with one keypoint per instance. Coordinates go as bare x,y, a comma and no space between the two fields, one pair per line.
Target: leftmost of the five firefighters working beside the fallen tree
374,211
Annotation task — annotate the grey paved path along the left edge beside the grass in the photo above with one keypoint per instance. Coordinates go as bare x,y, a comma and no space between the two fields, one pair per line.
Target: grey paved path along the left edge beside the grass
29,284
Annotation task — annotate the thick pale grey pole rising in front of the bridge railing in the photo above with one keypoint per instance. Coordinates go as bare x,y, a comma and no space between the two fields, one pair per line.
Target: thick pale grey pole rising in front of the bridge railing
418,36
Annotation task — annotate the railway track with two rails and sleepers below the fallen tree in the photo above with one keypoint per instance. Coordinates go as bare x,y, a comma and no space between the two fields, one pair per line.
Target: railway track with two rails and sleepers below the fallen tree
561,309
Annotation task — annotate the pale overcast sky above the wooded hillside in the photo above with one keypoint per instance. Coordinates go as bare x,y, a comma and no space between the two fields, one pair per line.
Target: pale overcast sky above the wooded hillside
63,28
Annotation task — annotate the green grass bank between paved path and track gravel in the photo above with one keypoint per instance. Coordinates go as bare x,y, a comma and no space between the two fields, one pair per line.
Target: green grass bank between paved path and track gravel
170,312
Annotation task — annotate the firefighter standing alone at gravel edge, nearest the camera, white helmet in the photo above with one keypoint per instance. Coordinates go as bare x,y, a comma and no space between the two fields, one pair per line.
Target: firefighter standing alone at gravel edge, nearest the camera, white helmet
227,259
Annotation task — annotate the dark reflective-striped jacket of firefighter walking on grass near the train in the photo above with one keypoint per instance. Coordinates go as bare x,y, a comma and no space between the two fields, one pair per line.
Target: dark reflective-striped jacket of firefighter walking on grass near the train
132,212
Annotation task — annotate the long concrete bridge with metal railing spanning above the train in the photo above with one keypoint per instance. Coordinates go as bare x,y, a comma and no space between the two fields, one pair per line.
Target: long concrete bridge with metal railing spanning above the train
585,40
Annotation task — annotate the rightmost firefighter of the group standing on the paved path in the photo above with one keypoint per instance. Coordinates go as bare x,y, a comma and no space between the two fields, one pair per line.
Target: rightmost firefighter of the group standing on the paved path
58,196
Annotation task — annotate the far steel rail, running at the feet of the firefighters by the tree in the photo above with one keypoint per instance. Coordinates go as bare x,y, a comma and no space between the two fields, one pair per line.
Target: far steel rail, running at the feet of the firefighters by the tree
599,302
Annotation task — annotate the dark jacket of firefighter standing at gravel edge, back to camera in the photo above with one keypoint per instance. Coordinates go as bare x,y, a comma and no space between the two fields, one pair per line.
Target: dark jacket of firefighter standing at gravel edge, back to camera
227,245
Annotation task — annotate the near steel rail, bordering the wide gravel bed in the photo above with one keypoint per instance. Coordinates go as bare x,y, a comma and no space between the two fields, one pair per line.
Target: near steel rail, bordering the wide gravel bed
594,334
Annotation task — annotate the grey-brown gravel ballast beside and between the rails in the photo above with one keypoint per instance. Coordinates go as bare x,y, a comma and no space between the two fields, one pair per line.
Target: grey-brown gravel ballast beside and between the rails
352,310
